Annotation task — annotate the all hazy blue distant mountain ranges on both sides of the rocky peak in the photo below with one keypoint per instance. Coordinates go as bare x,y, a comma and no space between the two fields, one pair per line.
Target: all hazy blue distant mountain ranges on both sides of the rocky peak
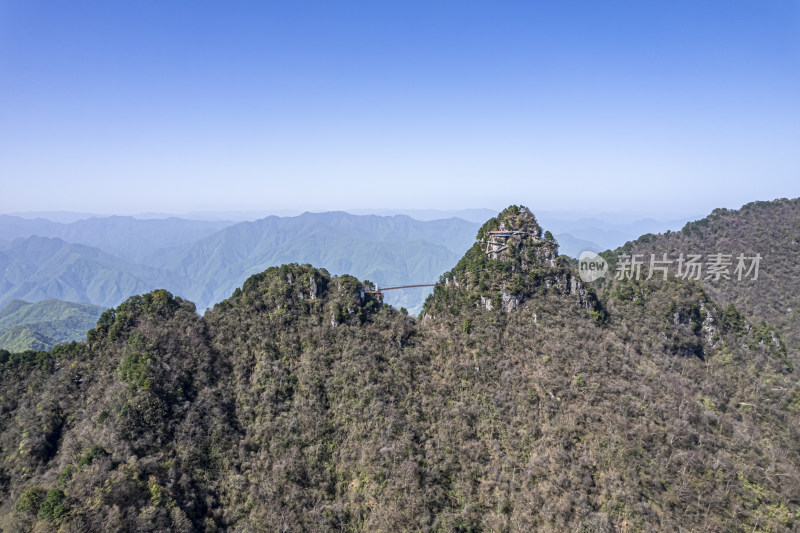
103,260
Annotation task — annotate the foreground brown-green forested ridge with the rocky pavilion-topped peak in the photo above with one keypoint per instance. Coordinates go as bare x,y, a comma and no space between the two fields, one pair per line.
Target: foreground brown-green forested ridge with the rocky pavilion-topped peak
519,400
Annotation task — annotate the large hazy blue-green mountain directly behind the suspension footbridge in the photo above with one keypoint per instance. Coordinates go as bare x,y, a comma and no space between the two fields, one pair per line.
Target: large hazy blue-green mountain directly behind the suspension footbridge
386,250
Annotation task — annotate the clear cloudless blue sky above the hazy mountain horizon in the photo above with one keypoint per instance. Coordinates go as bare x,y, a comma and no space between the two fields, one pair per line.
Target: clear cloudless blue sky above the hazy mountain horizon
135,106
